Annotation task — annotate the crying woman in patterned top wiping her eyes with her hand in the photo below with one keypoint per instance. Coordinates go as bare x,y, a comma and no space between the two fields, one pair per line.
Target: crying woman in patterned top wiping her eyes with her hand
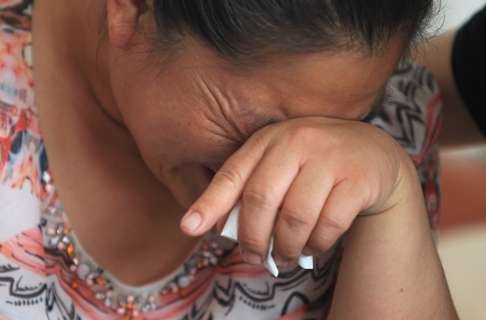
149,109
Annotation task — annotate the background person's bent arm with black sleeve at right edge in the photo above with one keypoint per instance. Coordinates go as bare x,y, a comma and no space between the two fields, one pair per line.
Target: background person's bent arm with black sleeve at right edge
458,61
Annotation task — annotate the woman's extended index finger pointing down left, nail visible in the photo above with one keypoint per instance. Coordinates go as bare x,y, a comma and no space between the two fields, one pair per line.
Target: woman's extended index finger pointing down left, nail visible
225,188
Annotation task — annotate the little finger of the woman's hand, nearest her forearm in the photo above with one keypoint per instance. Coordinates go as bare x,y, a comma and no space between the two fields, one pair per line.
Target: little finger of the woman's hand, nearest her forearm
341,208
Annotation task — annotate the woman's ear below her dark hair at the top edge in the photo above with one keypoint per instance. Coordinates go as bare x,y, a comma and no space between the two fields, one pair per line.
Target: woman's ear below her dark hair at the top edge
123,18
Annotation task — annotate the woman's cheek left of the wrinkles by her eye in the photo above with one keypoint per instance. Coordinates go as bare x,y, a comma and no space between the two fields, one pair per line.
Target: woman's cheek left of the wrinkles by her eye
169,123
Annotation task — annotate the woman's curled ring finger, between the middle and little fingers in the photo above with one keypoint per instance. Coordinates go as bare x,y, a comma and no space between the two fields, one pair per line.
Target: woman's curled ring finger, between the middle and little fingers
300,212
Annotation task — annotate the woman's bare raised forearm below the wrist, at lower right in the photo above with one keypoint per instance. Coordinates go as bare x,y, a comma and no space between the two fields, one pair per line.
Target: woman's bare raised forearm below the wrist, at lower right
391,269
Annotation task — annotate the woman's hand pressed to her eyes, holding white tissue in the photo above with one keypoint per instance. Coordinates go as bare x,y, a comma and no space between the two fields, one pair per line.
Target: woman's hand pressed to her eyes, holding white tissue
304,181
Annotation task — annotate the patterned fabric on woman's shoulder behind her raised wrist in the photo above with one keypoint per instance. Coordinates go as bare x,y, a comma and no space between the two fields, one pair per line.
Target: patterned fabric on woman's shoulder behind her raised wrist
412,115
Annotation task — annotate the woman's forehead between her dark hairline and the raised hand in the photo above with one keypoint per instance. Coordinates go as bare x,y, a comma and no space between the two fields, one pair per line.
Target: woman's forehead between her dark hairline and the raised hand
342,84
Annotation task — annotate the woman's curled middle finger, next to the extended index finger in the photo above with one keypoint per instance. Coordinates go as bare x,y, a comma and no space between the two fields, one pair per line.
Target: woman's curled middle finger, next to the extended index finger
261,199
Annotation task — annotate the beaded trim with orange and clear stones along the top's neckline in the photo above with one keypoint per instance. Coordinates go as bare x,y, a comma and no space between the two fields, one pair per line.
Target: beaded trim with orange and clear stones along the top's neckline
60,240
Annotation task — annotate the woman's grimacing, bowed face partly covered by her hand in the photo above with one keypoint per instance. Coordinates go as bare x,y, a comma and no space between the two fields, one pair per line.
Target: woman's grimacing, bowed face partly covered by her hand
189,112
